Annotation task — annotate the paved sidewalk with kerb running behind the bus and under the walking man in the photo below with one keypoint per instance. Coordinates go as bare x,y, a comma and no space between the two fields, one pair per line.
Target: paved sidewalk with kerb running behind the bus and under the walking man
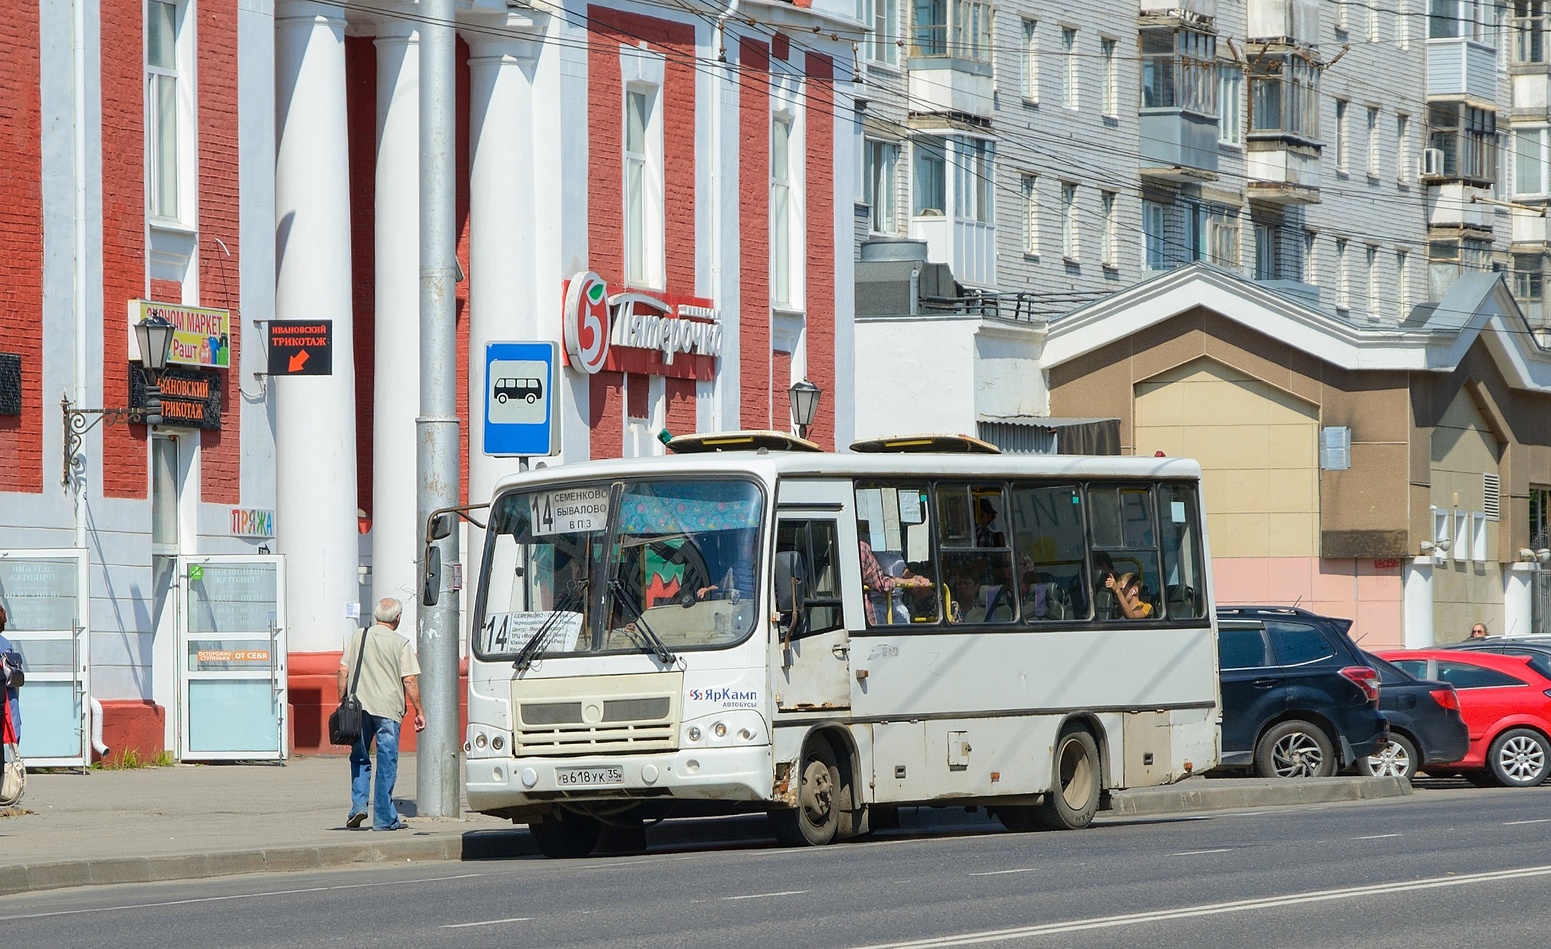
196,821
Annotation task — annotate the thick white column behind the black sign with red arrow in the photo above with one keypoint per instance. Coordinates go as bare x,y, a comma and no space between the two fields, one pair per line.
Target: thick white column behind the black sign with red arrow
314,416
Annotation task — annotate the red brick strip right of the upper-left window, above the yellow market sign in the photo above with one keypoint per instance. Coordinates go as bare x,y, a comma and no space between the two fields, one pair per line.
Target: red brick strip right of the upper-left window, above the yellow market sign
221,452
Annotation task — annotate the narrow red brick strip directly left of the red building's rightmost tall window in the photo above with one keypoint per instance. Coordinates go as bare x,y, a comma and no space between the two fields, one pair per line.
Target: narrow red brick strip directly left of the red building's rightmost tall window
755,235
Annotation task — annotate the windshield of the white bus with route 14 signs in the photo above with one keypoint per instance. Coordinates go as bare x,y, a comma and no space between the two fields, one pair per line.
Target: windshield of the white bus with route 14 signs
680,571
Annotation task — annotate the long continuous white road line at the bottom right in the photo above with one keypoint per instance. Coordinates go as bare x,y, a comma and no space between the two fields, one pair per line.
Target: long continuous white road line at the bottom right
1212,909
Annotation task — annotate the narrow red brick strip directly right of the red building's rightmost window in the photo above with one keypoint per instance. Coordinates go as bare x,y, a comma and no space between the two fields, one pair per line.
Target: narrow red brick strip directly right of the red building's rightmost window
821,241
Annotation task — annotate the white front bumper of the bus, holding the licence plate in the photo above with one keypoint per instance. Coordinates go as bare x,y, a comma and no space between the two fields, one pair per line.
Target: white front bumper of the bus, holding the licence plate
734,775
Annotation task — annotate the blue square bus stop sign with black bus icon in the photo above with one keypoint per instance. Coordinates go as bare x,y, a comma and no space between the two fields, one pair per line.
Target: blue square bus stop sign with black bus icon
520,416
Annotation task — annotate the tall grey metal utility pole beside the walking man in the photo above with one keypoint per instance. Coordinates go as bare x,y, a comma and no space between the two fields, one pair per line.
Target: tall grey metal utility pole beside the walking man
437,429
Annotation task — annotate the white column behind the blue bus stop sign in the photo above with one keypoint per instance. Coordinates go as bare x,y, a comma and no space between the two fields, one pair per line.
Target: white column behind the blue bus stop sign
502,236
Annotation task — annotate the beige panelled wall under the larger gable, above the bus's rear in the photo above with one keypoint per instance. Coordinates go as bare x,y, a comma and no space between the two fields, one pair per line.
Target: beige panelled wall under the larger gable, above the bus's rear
1259,449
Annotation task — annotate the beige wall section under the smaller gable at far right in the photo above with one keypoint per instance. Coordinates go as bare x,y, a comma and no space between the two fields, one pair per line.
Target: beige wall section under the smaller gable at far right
1468,579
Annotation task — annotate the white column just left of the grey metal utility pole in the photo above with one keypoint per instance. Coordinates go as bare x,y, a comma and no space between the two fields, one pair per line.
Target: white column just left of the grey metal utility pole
396,388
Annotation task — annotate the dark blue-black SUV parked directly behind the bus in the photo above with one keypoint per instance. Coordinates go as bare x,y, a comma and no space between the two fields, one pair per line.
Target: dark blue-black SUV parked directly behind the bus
1297,697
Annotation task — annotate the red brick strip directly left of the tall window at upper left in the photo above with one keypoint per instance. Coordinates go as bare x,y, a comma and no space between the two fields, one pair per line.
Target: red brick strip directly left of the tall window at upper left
123,233
